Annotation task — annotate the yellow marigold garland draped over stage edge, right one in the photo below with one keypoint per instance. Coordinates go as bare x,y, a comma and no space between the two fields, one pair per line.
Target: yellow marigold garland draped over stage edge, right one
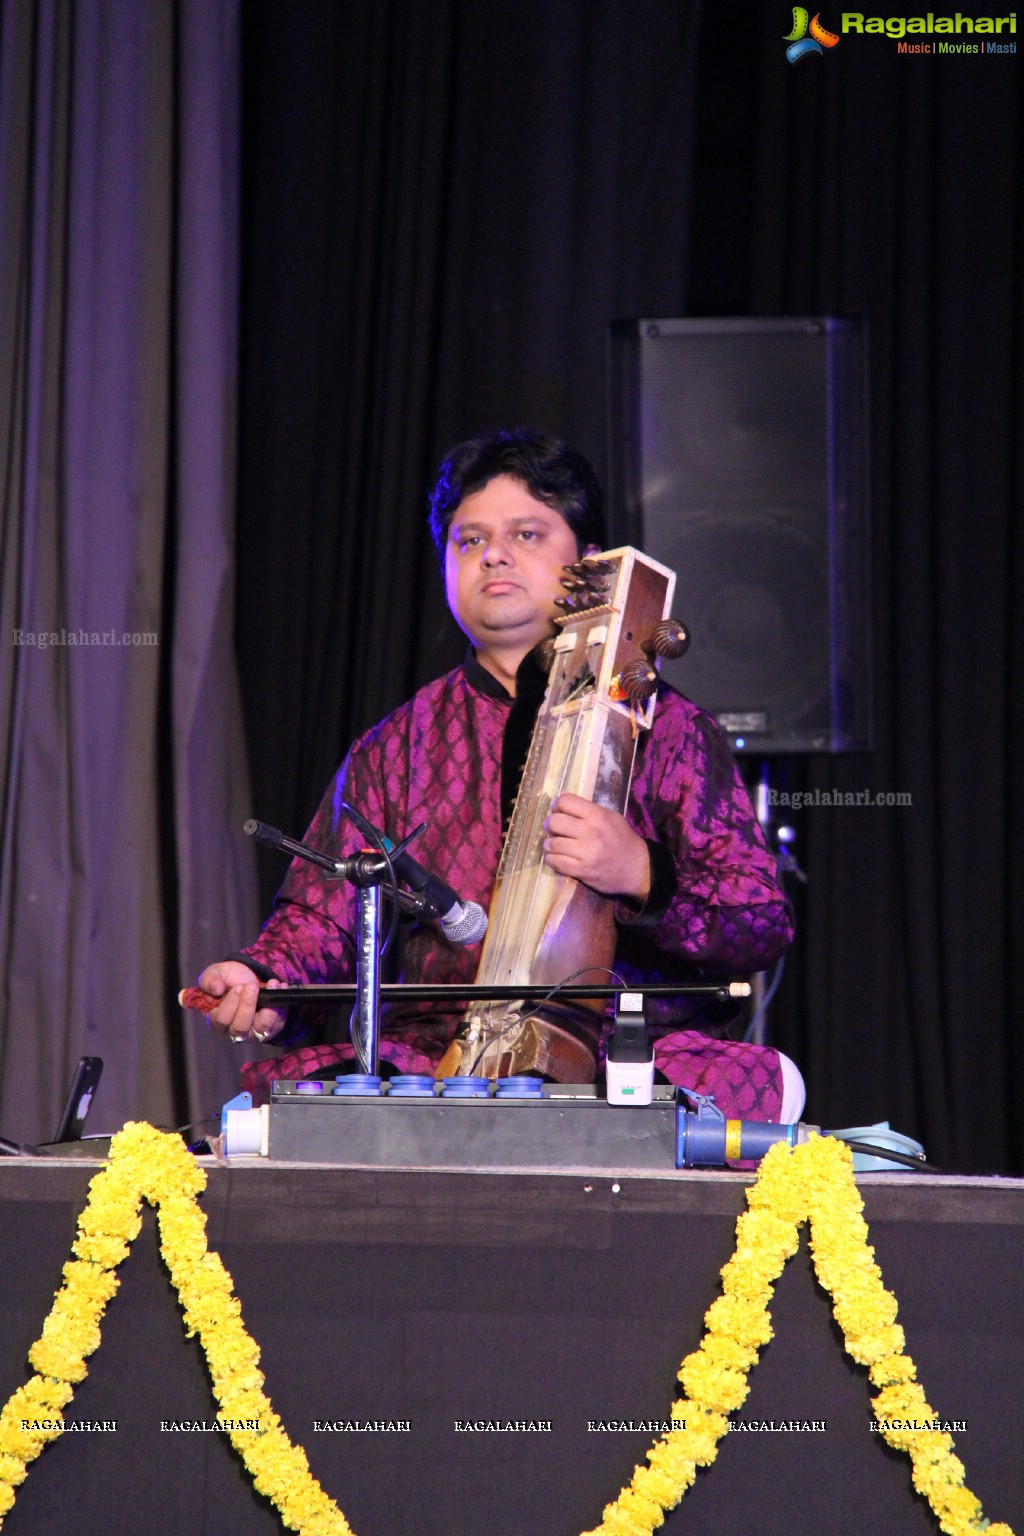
816,1183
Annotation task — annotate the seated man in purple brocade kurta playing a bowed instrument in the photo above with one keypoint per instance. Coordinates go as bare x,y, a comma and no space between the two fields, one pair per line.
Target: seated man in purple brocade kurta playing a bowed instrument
695,889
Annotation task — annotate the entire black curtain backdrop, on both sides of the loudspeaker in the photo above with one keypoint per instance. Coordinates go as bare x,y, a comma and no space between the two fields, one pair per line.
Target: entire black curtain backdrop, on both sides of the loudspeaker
443,208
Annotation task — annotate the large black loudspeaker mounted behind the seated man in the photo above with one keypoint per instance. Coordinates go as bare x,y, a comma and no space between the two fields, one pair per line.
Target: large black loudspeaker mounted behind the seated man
739,458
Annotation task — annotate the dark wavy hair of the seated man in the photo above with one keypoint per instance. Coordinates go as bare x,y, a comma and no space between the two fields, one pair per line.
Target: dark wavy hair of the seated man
547,466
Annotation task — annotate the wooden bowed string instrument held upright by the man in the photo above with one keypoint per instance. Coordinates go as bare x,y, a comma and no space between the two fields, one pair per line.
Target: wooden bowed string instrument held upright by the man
544,927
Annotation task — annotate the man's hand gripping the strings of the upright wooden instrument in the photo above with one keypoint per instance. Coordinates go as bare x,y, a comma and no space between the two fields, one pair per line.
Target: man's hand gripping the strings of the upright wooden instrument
598,847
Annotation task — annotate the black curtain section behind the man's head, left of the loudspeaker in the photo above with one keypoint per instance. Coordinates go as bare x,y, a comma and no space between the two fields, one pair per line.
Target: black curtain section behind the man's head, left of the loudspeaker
443,208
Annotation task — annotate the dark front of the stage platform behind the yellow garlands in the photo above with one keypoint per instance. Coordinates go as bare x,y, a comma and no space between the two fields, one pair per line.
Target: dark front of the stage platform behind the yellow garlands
566,1299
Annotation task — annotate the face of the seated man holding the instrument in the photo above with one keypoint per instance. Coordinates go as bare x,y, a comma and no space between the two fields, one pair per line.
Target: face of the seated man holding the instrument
504,566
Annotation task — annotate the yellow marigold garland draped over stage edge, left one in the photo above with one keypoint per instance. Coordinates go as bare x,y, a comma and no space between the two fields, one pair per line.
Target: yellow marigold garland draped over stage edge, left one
151,1165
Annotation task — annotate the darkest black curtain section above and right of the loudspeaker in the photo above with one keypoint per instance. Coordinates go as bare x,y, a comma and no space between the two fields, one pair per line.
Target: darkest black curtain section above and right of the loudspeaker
891,187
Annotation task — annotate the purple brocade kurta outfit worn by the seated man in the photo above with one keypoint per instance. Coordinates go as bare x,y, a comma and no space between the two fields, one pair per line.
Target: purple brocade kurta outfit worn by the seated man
438,760
